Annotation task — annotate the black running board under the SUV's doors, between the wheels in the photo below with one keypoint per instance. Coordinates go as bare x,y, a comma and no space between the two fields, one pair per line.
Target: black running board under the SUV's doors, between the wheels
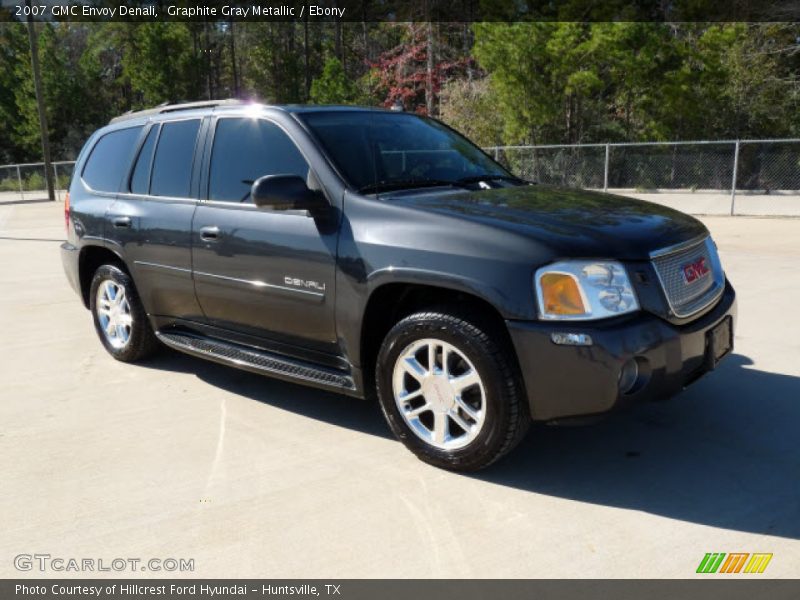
257,361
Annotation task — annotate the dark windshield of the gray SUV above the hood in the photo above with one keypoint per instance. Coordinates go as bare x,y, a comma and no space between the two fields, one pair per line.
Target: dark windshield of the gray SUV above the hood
378,151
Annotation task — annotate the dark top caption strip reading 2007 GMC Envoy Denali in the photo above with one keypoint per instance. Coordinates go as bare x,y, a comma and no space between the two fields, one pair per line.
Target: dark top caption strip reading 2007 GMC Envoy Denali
411,10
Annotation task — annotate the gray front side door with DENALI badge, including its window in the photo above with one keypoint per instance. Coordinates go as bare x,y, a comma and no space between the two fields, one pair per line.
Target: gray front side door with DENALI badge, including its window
258,271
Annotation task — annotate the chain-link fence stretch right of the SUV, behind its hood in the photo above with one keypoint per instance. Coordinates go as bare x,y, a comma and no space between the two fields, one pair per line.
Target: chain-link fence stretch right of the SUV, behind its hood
759,177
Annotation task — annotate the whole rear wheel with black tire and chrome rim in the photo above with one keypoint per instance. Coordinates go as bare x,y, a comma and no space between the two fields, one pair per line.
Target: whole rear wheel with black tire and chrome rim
119,317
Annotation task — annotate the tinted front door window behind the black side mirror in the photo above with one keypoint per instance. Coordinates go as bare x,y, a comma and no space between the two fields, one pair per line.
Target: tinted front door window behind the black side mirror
246,149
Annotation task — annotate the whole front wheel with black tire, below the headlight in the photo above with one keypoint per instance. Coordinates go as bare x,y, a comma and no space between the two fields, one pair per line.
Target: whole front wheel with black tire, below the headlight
451,391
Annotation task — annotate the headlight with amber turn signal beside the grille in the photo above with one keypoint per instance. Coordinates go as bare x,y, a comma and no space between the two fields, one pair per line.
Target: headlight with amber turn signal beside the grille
581,290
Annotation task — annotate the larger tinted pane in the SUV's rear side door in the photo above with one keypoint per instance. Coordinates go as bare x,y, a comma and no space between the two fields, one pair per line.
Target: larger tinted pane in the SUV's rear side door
172,169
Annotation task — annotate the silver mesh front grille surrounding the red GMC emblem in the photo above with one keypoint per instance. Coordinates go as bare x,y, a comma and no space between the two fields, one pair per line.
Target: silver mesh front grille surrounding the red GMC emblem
685,297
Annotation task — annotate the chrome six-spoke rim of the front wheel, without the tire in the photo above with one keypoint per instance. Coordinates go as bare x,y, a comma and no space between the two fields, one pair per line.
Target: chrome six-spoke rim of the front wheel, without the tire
439,394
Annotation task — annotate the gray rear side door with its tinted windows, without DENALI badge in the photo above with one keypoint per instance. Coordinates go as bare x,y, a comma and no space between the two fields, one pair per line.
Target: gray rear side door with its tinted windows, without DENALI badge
151,220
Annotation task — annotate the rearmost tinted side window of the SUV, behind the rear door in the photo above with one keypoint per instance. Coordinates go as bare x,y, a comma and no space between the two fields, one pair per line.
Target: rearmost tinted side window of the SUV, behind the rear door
110,159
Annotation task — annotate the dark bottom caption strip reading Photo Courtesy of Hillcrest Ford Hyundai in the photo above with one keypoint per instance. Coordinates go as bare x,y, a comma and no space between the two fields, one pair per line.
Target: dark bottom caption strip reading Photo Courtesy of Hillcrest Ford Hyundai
711,587
